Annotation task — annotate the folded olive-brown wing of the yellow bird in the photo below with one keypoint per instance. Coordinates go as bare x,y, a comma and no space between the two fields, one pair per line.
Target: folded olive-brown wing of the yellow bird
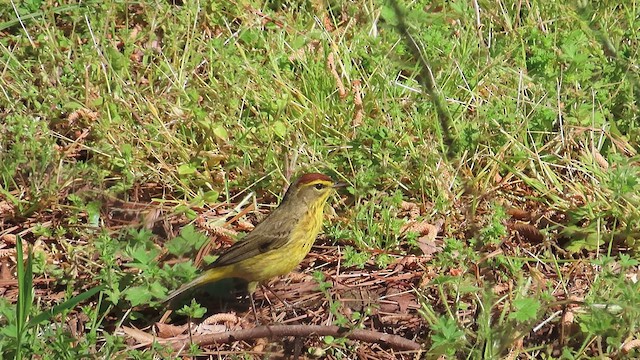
265,237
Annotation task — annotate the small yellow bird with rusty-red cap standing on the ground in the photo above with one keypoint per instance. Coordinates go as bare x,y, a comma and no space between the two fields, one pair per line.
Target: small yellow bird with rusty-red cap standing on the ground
279,243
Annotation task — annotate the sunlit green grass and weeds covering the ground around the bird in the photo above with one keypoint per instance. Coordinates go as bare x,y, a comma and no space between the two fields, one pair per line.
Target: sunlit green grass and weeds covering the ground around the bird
121,124
